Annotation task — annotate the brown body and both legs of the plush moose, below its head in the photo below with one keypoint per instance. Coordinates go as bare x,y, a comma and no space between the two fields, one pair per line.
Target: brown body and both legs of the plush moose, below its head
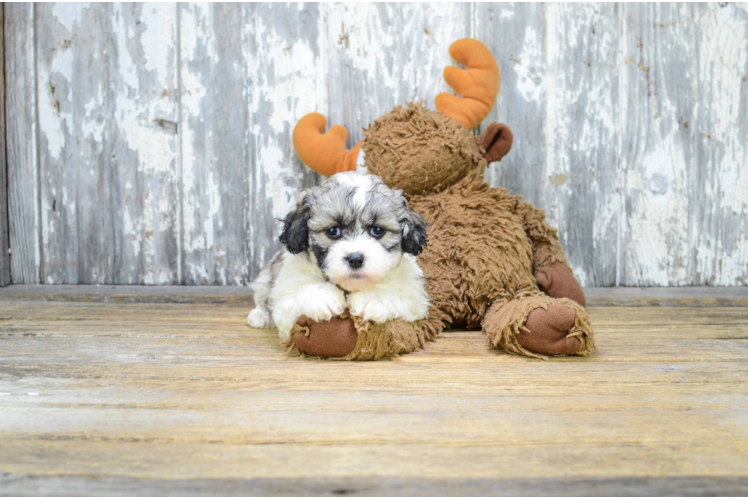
484,245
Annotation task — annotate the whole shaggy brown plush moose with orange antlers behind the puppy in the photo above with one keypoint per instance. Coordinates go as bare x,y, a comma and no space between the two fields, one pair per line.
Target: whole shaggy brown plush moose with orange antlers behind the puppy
491,261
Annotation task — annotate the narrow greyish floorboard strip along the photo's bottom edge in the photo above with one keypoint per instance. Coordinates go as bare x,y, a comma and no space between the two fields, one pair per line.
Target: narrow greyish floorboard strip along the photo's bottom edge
367,486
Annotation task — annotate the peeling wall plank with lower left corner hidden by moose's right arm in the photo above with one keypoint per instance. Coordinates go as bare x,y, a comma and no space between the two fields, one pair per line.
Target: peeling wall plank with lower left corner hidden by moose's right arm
582,151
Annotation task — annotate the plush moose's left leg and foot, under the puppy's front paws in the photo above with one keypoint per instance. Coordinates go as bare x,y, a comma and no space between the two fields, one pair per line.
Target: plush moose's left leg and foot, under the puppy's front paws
350,338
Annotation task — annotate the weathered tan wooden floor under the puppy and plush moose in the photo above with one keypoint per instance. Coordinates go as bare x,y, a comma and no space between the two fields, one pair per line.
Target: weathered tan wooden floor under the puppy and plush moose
110,396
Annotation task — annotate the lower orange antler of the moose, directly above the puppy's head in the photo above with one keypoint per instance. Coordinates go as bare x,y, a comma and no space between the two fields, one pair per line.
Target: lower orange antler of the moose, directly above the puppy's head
323,153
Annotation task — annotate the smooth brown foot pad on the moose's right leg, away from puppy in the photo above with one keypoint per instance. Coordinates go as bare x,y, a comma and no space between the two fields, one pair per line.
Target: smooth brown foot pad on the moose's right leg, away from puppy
549,330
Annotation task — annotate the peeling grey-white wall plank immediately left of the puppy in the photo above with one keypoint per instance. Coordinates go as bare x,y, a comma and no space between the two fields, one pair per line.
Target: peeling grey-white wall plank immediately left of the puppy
216,160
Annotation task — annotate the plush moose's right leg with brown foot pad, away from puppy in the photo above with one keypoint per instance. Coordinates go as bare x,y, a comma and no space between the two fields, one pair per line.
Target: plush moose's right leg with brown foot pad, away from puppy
537,325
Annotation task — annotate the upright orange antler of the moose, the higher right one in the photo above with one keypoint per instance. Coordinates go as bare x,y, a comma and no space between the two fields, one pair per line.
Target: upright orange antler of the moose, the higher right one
478,84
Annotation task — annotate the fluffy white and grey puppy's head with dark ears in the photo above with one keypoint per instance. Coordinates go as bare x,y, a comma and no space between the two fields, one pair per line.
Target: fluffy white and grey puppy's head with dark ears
355,228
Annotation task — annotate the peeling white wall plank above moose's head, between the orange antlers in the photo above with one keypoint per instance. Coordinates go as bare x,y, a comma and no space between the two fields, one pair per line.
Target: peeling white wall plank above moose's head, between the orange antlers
382,55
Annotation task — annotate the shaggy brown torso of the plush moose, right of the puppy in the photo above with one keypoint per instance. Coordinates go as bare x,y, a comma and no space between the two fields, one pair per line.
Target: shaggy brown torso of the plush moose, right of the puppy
478,250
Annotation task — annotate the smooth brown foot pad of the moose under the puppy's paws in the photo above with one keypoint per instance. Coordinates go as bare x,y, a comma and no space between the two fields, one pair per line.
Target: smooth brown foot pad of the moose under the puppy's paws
335,338
